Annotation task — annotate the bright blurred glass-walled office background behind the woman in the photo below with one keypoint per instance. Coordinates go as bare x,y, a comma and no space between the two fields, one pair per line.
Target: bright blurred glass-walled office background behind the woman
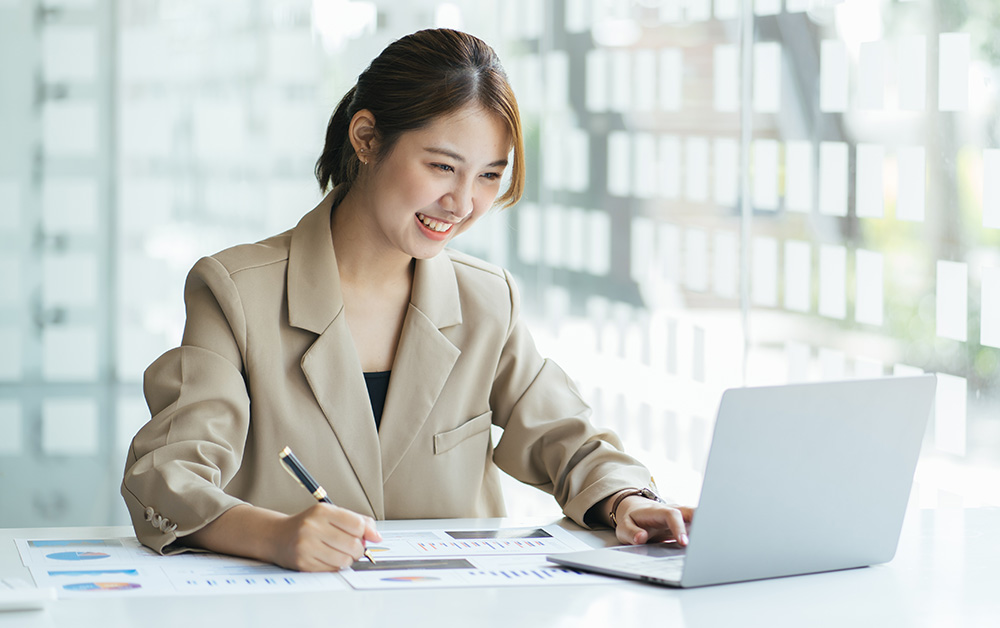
720,193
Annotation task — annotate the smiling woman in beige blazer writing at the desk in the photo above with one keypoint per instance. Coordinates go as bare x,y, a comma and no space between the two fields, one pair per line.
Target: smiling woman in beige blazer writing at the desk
295,340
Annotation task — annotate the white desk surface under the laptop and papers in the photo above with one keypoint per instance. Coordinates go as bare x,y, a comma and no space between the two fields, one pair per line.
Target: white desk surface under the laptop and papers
946,573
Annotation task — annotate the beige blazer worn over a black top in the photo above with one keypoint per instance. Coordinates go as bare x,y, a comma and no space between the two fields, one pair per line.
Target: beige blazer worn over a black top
267,360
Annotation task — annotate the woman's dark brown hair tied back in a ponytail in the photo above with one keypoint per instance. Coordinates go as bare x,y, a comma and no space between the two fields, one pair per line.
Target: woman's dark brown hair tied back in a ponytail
413,81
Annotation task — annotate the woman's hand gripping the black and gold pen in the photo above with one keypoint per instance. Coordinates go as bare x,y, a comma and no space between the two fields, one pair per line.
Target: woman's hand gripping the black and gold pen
322,538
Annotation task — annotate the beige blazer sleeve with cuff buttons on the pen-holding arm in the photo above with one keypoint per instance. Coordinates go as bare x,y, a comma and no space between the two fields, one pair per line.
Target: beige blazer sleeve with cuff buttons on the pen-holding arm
181,460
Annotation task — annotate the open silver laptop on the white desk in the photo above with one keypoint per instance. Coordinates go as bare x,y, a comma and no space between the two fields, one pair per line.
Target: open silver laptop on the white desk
800,479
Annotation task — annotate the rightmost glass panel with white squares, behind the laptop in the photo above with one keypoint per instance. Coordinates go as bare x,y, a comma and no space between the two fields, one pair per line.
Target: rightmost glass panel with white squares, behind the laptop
903,229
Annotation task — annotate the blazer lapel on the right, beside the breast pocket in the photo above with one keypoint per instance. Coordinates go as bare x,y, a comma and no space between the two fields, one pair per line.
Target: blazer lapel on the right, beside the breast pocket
424,358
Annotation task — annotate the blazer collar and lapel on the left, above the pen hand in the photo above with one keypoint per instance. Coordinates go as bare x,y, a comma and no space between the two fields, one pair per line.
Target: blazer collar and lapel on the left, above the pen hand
331,365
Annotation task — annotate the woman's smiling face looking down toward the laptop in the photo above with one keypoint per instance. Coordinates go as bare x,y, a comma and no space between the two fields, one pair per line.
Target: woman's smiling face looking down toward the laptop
438,180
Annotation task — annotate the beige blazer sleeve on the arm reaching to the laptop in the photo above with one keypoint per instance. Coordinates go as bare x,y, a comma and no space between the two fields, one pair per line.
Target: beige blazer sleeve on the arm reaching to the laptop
548,440
